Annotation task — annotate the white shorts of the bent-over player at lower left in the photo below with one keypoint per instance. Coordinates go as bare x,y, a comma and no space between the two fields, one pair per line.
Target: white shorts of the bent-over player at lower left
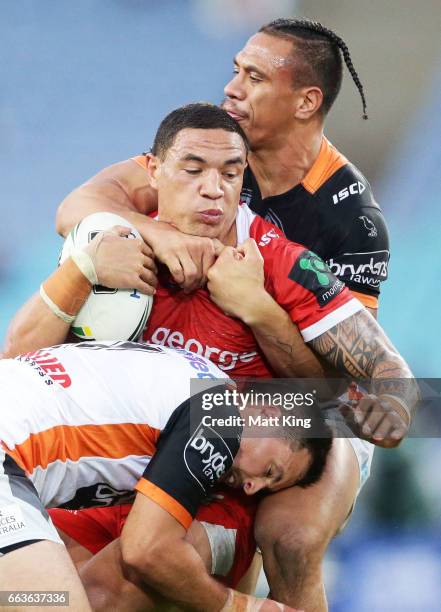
23,518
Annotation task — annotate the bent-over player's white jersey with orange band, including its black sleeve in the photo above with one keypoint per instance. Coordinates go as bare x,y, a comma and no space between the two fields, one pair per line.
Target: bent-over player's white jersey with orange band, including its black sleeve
91,422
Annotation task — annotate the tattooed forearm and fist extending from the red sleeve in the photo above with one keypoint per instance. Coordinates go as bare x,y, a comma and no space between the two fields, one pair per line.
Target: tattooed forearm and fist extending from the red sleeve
359,348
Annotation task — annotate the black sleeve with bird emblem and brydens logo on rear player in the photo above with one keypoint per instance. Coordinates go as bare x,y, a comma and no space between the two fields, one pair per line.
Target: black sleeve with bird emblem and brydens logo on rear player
362,258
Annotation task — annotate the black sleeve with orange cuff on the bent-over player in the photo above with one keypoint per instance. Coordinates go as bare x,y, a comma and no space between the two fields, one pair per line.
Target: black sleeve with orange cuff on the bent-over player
190,458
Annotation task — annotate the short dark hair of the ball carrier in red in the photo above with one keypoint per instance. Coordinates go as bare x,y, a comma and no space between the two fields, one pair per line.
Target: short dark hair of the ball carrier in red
199,115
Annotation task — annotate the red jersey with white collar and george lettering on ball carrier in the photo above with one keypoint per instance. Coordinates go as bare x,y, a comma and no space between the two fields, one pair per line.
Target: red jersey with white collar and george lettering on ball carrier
296,278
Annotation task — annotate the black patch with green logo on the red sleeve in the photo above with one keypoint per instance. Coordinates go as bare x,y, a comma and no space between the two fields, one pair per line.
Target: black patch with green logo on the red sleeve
313,274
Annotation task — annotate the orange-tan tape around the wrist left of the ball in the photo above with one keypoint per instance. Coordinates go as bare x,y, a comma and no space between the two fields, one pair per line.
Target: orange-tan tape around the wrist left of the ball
66,290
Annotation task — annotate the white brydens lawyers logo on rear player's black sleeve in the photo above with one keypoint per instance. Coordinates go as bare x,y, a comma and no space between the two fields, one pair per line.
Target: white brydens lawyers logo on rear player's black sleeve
368,269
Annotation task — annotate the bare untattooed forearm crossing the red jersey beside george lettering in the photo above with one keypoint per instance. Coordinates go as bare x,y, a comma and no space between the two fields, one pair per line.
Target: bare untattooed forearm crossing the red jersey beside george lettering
281,341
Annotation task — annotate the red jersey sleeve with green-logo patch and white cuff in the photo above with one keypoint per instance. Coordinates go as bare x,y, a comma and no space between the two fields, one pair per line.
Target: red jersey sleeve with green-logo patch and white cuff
305,287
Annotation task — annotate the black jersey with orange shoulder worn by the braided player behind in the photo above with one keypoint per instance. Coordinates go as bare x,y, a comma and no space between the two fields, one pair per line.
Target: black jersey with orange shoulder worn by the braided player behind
333,212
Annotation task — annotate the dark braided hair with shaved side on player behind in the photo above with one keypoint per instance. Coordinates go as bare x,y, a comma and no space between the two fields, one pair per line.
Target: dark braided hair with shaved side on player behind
317,57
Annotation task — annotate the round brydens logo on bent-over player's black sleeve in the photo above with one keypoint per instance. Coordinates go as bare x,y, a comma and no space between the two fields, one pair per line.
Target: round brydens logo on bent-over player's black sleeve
207,456
